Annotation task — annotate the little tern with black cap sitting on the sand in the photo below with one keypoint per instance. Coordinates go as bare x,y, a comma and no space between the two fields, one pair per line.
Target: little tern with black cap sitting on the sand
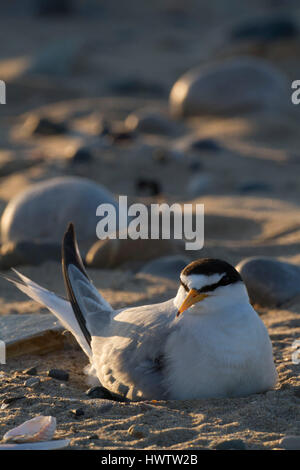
208,341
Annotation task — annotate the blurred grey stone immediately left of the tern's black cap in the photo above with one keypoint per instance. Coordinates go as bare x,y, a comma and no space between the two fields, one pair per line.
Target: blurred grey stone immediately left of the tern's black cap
166,266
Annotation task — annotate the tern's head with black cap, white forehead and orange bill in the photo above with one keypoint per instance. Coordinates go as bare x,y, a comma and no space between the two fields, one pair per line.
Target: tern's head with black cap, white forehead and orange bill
209,285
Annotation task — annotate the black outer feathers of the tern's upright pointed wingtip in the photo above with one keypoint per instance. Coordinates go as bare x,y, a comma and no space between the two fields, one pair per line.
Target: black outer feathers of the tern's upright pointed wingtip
71,255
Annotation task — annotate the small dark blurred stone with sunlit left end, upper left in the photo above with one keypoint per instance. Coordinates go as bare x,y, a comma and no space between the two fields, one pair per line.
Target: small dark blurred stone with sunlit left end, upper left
42,126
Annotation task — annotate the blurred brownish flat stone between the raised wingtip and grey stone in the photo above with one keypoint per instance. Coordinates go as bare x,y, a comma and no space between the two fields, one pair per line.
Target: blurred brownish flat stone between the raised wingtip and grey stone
111,253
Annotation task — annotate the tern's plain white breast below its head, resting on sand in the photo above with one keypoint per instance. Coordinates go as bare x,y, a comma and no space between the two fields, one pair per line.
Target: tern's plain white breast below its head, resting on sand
219,356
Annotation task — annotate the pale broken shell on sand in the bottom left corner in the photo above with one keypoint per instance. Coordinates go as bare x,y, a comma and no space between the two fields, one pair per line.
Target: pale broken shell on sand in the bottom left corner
40,428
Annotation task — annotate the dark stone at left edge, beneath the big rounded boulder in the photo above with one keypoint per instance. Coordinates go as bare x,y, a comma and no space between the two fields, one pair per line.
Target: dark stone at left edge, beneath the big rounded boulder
31,253
